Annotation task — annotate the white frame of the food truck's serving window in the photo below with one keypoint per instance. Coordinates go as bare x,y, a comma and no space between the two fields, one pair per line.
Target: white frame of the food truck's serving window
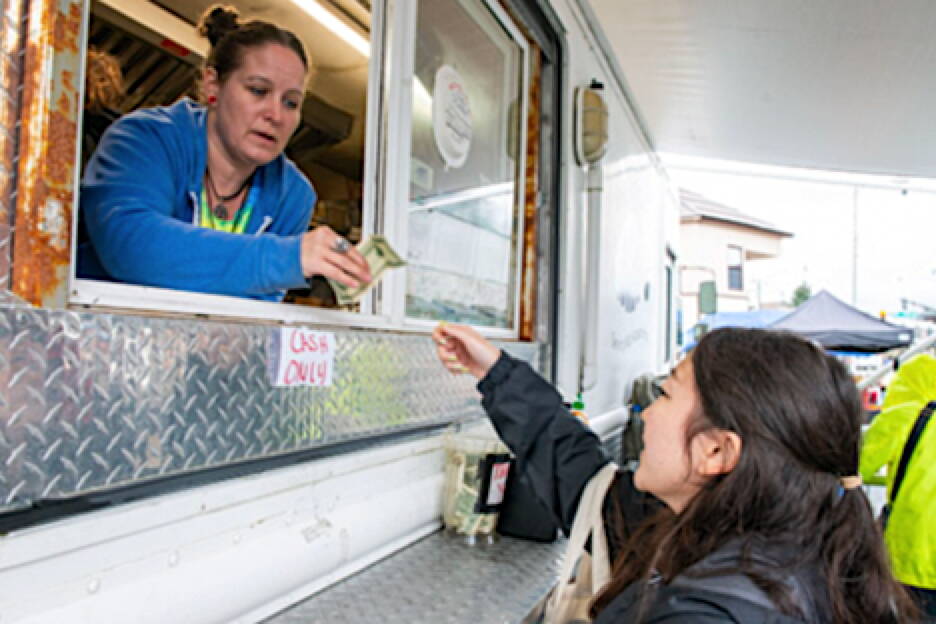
383,307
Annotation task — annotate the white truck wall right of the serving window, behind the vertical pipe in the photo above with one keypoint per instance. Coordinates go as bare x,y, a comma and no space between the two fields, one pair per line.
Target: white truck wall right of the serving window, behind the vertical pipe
637,206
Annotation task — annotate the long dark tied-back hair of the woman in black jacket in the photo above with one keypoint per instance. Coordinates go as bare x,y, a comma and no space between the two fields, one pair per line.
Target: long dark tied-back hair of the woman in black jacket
799,418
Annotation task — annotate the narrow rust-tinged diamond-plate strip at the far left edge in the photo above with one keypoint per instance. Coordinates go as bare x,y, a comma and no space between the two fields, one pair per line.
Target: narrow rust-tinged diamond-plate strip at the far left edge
11,57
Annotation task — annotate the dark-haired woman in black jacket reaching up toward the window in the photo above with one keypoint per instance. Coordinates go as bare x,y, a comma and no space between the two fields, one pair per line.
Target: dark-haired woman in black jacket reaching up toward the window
752,449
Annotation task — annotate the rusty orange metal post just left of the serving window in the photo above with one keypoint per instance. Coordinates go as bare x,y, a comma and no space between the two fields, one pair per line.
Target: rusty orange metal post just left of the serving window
47,150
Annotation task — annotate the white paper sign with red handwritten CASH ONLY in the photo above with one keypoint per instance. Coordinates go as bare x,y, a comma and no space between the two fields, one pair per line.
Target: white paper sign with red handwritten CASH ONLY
301,357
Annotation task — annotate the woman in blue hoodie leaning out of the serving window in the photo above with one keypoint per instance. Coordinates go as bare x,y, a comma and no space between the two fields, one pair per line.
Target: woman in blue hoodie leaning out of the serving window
201,197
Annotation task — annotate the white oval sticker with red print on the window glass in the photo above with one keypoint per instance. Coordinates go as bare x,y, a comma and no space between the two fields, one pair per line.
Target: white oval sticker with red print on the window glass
451,117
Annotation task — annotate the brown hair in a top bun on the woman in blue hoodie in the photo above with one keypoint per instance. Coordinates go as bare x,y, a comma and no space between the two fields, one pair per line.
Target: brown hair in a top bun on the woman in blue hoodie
229,37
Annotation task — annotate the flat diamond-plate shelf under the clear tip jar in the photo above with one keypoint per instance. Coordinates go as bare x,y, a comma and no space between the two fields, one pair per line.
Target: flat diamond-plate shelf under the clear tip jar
440,579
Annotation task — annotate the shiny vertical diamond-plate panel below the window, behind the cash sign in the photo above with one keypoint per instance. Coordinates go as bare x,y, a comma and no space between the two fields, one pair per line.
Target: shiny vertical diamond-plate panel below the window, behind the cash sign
91,401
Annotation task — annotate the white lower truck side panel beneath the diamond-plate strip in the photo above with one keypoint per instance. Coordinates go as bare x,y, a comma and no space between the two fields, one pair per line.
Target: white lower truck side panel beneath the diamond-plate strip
236,551
